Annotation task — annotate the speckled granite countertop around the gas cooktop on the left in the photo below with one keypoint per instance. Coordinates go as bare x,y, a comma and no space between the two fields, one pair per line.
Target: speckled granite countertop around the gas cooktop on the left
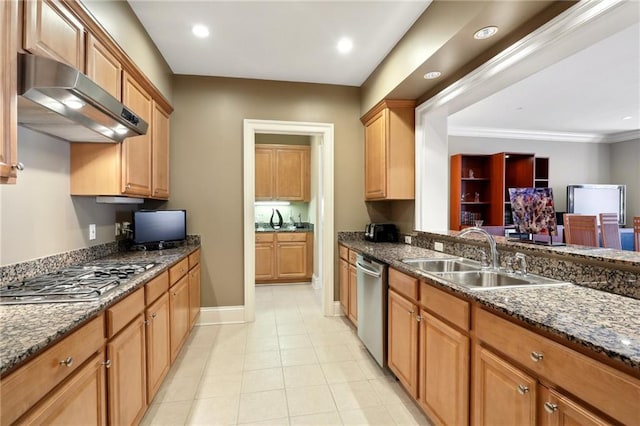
27,329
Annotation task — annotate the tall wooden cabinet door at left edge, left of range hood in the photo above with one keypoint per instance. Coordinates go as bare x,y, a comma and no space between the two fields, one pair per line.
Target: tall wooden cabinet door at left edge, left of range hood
8,99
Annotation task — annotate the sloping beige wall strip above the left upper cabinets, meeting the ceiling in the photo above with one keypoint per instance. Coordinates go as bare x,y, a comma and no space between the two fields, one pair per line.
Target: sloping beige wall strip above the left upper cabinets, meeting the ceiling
123,25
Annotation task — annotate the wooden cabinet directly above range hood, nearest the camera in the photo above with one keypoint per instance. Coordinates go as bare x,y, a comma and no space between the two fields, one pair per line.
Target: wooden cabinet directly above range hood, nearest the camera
51,30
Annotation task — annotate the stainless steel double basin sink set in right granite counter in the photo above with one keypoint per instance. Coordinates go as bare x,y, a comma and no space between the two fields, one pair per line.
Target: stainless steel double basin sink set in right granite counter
472,275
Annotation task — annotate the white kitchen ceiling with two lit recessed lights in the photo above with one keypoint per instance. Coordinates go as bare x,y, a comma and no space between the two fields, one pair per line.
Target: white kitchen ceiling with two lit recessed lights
278,40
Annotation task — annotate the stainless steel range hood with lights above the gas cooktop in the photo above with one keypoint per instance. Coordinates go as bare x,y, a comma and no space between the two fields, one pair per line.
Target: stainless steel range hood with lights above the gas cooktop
60,101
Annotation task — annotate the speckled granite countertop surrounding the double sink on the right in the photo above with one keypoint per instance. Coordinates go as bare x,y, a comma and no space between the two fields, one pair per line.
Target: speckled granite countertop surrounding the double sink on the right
599,321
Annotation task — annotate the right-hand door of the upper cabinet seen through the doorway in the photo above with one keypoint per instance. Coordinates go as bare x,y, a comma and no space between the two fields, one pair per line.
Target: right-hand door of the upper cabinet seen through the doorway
292,174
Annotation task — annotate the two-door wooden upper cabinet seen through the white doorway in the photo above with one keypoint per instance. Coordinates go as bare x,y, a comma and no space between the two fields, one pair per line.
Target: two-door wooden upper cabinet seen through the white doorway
283,172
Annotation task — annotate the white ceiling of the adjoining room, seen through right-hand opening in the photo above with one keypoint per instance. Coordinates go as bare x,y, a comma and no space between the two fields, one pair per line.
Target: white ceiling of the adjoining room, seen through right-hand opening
591,95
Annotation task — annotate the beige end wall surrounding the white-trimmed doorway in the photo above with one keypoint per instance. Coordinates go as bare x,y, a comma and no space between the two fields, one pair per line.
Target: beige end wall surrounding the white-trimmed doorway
206,162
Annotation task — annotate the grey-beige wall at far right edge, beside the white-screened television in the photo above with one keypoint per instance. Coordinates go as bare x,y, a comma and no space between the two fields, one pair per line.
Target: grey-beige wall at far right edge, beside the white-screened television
625,169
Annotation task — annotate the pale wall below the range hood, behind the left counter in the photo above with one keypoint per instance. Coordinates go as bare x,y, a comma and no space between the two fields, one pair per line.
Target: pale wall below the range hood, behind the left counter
38,217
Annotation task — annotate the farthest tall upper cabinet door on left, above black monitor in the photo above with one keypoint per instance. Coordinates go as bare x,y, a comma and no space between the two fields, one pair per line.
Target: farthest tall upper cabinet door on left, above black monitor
160,153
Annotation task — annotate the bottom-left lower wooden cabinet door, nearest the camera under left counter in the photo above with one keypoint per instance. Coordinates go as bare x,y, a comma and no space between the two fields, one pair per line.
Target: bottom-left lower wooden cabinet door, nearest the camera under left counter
79,401
